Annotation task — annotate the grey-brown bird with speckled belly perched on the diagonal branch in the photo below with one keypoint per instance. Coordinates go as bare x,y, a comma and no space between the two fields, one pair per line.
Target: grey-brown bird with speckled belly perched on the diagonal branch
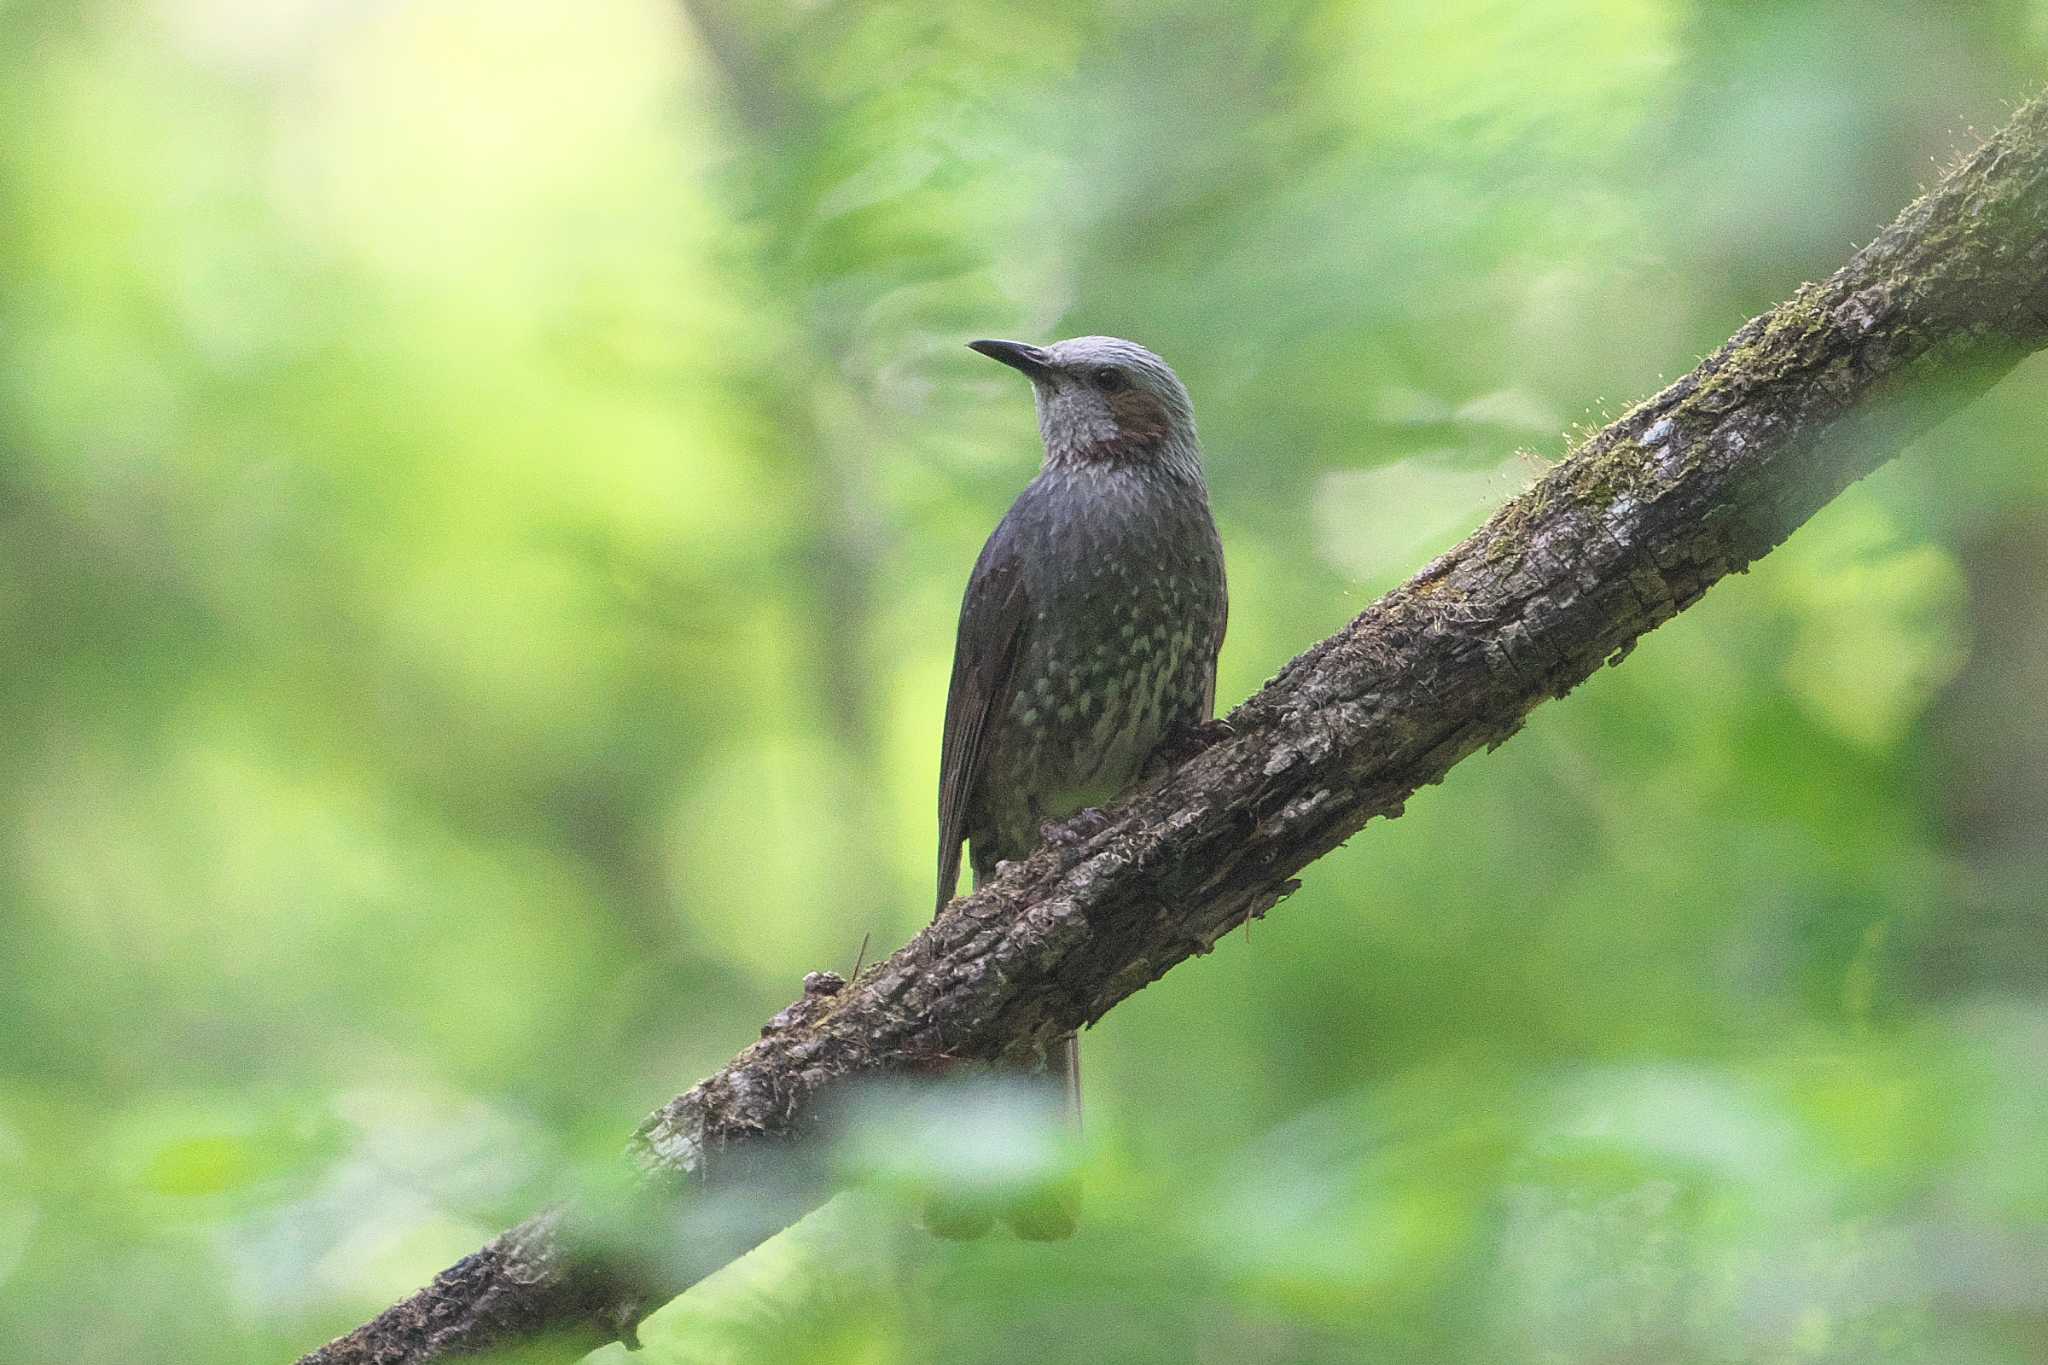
1086,646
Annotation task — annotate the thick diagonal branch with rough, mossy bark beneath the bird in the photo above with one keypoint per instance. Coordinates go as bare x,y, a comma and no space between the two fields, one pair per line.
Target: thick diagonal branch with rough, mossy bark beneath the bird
1631,529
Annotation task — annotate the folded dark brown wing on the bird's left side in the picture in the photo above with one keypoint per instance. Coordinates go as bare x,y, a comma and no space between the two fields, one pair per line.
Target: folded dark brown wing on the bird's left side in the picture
994,621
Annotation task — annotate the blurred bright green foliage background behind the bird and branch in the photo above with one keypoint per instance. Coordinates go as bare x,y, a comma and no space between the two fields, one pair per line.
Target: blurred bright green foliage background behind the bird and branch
484,498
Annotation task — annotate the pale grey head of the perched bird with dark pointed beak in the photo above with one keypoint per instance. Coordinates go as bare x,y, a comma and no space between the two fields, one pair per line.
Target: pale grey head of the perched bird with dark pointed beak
1107,402
